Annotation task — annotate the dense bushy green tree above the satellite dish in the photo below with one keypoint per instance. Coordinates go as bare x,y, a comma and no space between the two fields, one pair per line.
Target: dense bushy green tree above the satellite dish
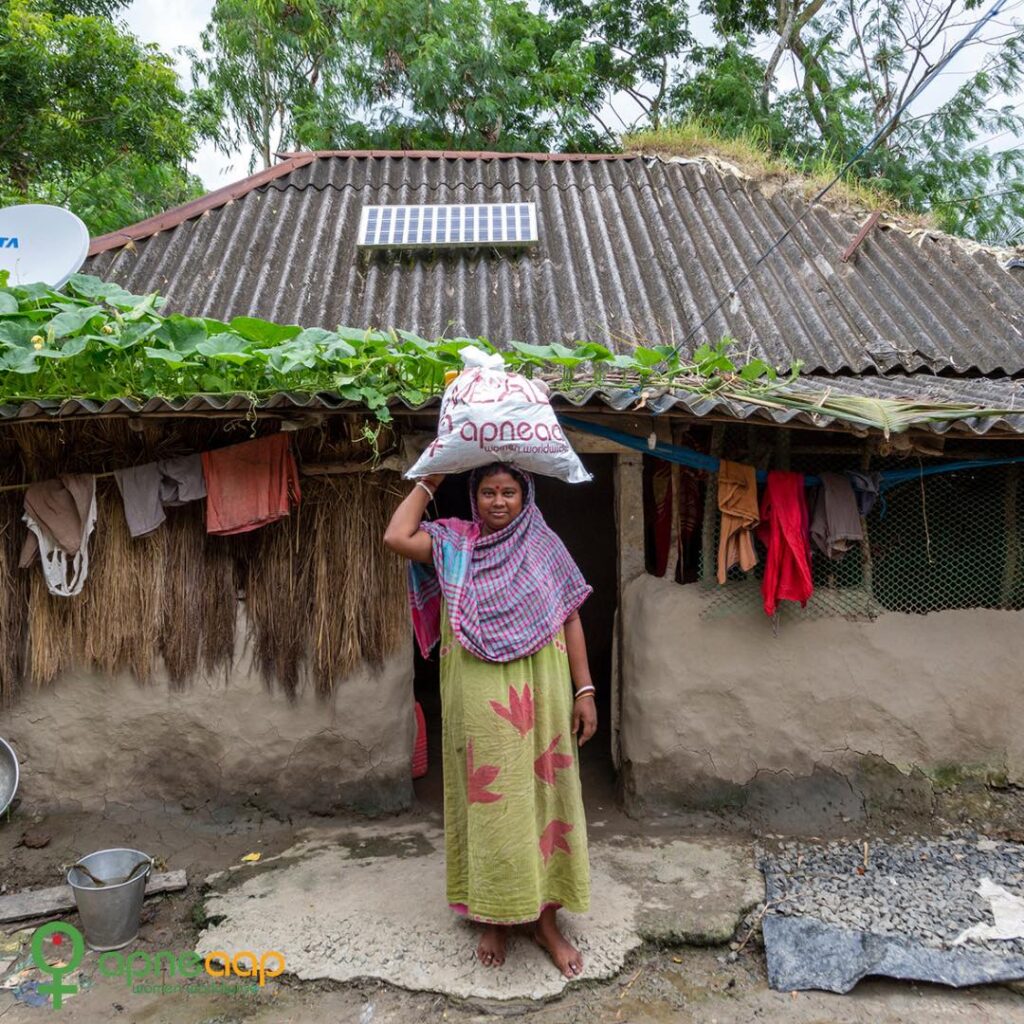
91,117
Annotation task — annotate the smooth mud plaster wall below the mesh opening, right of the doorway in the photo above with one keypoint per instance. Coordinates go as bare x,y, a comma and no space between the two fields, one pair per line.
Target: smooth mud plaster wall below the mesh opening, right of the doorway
719,712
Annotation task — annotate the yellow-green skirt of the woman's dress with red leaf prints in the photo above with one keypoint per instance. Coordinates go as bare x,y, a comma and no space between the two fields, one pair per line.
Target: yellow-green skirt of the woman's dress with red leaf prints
516,835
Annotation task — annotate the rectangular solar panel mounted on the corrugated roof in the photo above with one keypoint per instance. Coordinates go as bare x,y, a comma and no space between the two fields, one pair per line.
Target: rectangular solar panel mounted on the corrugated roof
448,227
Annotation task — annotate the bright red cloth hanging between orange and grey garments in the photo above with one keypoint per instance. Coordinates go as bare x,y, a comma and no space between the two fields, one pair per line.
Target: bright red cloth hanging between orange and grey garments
784,531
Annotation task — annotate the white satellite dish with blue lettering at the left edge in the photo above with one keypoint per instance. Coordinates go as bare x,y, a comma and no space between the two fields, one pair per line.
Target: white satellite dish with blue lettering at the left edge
40,243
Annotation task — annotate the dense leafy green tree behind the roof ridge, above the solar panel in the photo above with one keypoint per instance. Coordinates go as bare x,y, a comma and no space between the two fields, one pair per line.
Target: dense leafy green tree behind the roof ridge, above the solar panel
470,74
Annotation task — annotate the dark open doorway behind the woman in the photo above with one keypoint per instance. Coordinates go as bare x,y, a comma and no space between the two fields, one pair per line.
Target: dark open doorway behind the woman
583,516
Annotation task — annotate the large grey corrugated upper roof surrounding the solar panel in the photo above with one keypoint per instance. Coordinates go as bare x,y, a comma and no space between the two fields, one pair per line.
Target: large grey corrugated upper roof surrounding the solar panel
633,249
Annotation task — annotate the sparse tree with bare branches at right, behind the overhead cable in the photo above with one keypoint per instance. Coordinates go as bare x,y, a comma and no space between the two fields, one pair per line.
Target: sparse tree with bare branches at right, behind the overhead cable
855,63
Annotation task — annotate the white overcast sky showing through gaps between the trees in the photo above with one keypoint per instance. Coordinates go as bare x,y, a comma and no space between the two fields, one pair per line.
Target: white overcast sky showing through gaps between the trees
178,25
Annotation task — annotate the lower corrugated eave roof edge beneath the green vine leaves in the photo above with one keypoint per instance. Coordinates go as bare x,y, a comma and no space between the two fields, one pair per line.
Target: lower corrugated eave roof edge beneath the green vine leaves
1005,394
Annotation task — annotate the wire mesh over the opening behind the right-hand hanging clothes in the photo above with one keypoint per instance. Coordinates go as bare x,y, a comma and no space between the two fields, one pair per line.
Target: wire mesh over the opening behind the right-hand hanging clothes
934,543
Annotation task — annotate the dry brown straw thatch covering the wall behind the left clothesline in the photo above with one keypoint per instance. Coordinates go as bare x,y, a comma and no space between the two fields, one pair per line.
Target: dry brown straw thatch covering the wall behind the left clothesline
319,590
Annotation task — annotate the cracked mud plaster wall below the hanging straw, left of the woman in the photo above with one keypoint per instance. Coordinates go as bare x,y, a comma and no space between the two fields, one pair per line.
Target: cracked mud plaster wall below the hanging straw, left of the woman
90,741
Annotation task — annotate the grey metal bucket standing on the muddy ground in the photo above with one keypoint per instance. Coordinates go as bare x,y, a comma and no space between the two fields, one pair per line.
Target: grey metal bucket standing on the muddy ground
110,903
